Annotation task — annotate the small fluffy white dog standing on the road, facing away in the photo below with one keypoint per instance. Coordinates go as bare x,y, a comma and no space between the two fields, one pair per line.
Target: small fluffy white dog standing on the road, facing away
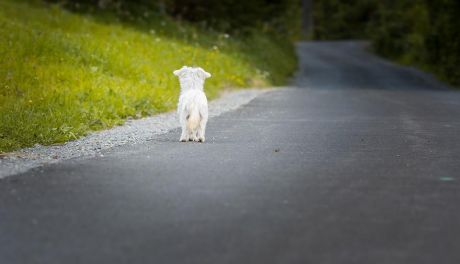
193,104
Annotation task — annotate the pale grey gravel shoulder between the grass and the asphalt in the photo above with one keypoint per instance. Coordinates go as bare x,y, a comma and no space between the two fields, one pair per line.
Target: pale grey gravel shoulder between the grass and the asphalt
132,132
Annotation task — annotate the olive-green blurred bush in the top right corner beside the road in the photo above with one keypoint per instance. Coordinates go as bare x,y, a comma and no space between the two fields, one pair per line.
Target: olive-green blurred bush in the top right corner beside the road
422,33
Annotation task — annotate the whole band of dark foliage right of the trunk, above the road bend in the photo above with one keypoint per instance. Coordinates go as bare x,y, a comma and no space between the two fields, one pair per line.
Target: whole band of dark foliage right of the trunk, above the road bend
420,32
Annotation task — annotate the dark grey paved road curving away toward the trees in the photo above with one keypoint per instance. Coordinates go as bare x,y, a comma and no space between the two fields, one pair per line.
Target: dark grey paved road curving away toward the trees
359,164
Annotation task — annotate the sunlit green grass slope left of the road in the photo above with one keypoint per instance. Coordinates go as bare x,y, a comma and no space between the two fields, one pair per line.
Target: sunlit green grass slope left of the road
63,74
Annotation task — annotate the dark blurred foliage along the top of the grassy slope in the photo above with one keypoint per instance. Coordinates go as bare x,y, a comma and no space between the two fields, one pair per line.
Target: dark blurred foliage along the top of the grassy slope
280,17
